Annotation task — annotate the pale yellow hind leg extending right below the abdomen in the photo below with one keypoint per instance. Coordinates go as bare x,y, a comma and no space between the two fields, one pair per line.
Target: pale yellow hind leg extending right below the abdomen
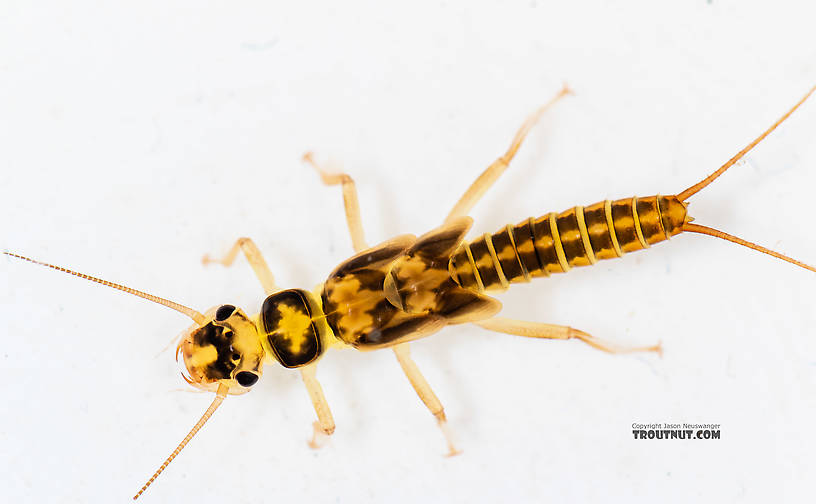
550,331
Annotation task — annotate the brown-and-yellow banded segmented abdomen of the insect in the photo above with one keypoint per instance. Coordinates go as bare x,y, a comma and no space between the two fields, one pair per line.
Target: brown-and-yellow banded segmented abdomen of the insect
555,243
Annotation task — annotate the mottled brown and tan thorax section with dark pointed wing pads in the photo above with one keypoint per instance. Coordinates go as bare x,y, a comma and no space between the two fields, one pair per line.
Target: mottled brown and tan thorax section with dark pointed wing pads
400,291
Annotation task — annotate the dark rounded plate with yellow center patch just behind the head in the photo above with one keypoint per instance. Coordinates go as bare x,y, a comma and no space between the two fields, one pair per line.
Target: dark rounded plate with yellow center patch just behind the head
291,328
